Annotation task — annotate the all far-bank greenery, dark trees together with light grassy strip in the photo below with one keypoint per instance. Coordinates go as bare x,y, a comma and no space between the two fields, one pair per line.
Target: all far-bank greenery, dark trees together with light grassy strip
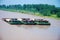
35,9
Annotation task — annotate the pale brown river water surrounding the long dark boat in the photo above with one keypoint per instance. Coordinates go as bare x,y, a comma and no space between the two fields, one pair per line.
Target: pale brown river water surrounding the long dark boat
28,32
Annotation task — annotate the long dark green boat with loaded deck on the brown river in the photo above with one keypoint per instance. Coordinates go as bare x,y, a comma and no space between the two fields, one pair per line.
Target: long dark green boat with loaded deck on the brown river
26,21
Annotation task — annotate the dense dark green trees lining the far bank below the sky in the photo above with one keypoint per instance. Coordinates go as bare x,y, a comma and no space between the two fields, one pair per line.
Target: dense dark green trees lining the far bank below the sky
44,9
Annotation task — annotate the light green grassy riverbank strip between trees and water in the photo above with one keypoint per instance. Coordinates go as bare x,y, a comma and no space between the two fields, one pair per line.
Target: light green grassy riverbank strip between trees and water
31,13
